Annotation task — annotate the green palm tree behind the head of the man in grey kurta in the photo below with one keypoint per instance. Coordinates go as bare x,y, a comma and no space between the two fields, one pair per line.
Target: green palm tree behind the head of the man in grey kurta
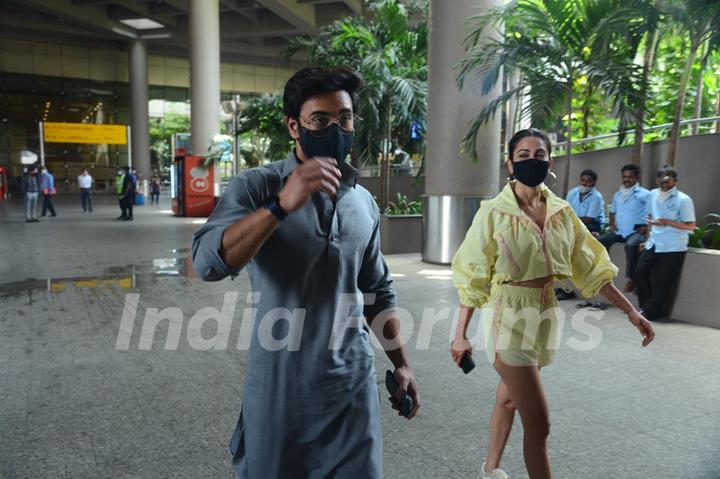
390,54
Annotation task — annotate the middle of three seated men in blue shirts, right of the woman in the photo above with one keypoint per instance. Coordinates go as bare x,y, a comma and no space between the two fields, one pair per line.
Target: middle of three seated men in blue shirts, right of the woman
627,211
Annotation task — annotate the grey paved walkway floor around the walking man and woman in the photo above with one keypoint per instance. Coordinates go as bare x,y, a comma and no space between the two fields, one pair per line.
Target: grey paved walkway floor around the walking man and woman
72,405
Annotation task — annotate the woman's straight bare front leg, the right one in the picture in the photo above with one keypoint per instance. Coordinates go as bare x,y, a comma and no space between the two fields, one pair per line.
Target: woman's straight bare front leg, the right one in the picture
526,391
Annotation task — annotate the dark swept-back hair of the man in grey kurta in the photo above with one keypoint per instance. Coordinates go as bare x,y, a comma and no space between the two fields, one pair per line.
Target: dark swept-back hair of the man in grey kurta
313,80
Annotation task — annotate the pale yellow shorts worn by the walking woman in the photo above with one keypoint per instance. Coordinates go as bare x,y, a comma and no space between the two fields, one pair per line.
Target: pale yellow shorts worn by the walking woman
521,325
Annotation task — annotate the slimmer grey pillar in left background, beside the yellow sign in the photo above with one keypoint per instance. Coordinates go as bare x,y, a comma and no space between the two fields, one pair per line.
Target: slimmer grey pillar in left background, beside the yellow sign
139,97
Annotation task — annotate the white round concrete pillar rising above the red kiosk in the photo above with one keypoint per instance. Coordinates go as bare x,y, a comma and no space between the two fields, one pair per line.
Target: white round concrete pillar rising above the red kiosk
204,73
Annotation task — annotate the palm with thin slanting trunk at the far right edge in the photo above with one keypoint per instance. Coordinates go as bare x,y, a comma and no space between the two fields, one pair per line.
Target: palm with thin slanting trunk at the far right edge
700,21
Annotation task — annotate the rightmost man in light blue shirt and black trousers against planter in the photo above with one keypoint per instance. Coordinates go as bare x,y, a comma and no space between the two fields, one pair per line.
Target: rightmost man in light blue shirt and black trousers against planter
671,217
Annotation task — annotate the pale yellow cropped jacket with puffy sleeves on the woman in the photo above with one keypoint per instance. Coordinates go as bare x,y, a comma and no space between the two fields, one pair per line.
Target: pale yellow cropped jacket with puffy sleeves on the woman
504,244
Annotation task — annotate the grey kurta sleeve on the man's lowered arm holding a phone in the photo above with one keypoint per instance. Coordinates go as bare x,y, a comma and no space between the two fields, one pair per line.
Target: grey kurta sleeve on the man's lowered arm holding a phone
375,277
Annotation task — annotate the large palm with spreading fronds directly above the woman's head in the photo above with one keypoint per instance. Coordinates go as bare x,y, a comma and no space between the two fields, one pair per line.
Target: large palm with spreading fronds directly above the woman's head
553,43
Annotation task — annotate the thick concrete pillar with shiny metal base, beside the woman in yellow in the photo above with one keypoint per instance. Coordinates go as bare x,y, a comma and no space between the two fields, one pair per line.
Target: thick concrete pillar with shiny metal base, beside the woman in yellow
454,185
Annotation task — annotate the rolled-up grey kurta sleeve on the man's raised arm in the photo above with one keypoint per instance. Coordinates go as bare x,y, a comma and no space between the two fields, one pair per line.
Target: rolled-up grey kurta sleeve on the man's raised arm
237,203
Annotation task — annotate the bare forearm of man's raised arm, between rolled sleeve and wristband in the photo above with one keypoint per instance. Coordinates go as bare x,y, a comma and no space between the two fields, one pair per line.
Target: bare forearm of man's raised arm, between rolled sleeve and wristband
242,240
